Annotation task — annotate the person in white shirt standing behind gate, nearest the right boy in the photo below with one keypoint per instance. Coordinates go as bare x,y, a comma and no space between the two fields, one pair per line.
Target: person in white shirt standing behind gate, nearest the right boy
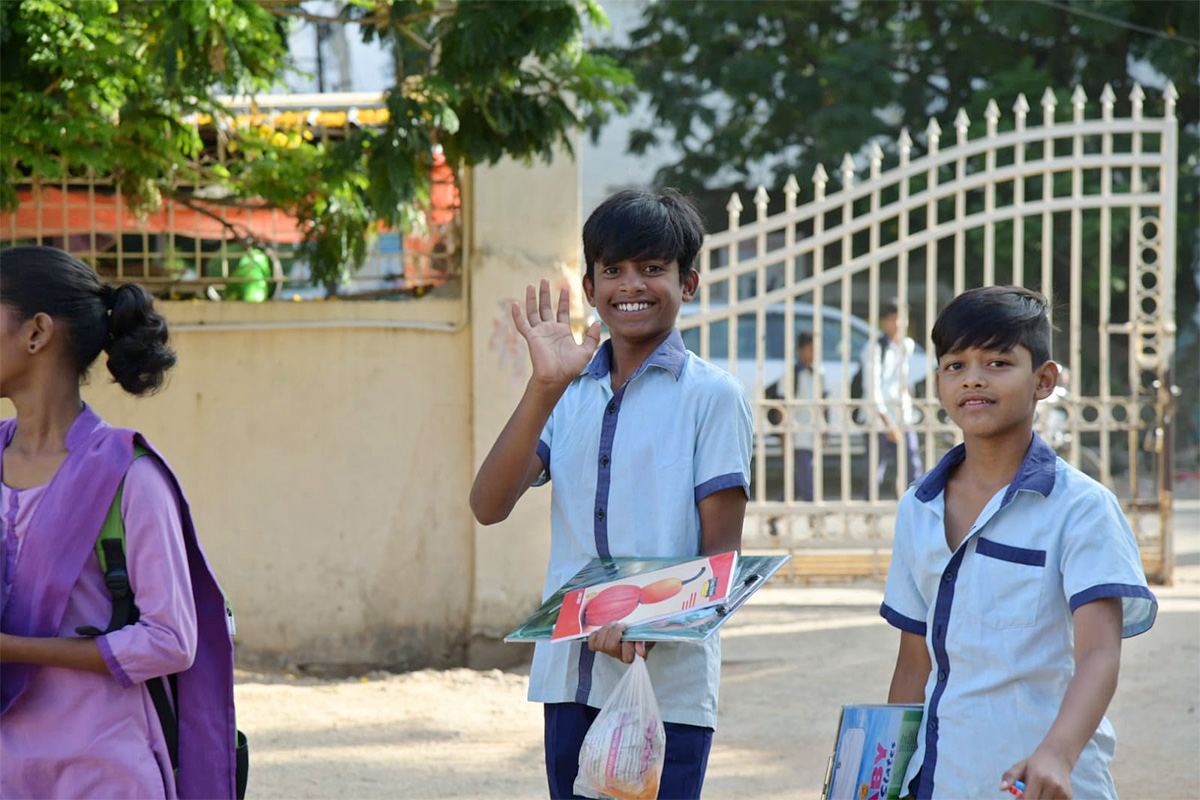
885,369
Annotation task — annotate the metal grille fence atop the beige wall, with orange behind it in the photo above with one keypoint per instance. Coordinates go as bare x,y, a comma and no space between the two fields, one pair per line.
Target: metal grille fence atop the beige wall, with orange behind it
201,244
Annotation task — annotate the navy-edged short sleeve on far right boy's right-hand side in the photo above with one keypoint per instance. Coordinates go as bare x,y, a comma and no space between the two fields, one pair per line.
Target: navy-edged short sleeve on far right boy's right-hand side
1101,560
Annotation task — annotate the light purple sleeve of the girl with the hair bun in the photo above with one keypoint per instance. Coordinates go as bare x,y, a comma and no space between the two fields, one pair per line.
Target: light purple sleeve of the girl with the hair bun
164,640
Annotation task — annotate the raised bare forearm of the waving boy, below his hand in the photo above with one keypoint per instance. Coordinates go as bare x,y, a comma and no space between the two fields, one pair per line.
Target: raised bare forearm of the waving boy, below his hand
506,473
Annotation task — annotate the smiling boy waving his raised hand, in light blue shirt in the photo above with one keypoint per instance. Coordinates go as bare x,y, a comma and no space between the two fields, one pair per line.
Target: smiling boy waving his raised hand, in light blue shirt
647,449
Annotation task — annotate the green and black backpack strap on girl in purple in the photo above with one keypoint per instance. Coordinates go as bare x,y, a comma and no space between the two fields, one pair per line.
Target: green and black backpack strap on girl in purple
111,555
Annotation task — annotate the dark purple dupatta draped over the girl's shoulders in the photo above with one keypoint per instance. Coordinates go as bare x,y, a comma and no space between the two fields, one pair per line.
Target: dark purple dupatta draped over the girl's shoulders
73,513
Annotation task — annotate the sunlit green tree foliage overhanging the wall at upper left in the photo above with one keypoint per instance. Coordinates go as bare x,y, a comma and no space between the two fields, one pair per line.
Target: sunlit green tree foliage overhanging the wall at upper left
107,86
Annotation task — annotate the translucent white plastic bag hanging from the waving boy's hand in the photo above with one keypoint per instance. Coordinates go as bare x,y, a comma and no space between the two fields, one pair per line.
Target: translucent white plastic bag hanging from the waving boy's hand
622,753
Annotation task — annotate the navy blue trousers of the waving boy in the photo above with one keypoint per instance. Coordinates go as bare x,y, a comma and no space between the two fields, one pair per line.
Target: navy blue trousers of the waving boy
683,768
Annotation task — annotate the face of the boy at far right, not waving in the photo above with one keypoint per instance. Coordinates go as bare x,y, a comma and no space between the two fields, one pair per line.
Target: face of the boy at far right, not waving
993,393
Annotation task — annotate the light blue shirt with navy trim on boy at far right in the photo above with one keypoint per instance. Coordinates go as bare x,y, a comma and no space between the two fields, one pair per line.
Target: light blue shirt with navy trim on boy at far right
997,616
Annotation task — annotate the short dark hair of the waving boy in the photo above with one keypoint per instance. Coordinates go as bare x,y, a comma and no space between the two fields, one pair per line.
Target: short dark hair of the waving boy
641,225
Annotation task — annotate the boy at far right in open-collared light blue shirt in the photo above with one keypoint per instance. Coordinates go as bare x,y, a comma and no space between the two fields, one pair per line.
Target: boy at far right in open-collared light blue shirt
1013,579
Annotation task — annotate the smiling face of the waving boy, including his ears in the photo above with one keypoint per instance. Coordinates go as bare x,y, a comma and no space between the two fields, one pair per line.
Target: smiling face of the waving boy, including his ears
639,299
